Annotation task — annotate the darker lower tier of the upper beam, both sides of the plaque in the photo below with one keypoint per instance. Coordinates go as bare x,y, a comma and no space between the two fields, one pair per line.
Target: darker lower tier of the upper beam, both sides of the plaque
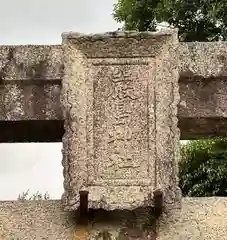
202,102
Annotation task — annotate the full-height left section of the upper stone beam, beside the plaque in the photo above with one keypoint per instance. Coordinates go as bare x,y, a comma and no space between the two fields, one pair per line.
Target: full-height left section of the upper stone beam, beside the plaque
30,84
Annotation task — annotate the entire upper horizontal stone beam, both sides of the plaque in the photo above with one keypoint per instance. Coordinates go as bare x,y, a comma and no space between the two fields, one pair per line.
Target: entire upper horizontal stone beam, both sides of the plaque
30,84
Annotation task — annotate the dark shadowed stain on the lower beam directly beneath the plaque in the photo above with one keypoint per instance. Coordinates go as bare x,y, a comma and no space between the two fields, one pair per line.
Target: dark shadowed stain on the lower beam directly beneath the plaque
118,224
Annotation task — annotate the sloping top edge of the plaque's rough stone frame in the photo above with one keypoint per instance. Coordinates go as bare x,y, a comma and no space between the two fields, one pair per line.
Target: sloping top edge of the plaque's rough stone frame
115,49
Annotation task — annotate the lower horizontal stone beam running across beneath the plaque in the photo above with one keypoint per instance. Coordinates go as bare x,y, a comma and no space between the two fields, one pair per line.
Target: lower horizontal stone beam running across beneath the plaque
199,218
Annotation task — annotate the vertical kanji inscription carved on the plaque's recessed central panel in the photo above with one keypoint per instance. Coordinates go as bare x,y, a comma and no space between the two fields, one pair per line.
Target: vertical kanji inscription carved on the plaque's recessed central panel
122,138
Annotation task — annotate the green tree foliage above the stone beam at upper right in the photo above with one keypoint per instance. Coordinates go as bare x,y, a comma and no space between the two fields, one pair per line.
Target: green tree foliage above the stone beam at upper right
197,20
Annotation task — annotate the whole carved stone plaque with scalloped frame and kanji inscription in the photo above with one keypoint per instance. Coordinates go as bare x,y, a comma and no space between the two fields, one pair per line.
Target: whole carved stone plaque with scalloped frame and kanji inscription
119,98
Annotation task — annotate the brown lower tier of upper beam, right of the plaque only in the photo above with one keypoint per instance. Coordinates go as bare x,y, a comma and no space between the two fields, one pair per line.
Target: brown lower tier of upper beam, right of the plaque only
202,111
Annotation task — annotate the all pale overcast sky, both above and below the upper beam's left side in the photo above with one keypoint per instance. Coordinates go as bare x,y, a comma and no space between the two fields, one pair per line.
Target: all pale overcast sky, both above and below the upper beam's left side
38,166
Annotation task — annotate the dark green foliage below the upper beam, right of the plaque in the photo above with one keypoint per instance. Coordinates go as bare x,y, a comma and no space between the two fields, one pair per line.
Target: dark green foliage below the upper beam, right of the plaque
203,168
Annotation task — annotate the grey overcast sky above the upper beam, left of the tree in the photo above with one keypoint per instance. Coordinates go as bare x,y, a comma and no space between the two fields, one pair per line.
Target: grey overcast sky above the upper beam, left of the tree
43,21
